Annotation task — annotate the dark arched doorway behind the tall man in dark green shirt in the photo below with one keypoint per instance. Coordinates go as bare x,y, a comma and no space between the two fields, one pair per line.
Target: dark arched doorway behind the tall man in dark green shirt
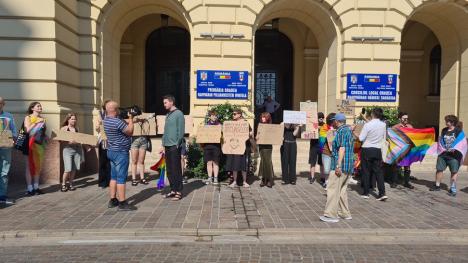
167,68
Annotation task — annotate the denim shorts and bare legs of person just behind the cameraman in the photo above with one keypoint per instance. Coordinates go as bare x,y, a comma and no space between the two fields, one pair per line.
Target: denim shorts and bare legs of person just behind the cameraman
138,152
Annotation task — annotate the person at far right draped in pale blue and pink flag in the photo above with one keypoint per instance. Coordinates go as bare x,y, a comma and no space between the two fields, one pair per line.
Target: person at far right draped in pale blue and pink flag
450,153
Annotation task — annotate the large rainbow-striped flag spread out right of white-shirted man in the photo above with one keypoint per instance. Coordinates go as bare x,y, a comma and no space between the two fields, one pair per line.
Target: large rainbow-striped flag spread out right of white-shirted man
421,140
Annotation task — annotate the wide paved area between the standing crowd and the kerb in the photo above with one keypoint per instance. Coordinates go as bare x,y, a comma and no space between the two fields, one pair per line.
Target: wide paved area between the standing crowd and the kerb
209,207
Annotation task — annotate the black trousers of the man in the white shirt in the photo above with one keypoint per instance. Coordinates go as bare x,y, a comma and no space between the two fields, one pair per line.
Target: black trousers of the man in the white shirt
371,164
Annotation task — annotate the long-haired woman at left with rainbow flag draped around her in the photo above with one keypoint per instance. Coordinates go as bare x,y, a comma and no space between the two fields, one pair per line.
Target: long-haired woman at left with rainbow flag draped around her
35,126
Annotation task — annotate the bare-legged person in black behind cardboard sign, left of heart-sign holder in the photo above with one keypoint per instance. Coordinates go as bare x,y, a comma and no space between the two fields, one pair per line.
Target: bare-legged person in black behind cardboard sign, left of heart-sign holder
212,153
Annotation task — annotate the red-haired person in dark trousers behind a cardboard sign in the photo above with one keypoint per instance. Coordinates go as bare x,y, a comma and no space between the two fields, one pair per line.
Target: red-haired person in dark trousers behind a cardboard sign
265,170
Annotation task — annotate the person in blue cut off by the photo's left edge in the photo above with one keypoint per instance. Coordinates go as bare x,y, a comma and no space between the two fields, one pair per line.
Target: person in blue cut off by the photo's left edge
7,123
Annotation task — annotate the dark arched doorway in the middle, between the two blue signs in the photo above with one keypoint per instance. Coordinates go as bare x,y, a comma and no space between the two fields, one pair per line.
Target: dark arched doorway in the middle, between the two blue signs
273,69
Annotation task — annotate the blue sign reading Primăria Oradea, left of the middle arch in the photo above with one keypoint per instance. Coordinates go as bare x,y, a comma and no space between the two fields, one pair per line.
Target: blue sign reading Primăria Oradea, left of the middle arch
218,84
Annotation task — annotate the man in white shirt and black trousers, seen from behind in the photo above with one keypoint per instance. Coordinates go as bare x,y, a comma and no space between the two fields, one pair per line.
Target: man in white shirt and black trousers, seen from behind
372,136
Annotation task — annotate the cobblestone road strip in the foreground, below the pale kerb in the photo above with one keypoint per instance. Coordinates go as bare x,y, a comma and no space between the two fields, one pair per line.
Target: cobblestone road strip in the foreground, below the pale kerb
234,253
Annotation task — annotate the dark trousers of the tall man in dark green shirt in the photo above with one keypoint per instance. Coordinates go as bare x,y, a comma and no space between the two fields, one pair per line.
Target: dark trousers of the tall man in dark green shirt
174,168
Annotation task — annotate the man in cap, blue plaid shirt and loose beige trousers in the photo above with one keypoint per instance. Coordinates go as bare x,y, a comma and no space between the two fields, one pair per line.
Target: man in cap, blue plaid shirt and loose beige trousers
342,167
